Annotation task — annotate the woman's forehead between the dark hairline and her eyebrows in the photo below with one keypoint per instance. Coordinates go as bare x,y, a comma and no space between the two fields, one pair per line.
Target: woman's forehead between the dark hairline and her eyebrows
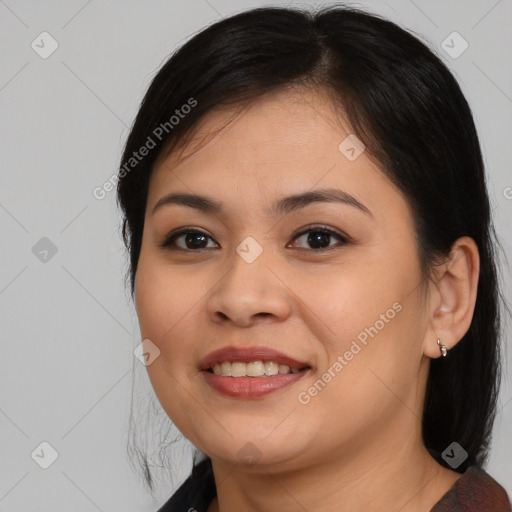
286,141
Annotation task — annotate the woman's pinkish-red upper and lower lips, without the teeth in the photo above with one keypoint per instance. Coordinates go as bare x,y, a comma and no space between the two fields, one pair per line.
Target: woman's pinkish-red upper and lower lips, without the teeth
251,387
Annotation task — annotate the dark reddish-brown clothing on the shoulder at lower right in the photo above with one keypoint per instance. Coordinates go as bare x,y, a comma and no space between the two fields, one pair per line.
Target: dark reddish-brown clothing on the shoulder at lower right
475,490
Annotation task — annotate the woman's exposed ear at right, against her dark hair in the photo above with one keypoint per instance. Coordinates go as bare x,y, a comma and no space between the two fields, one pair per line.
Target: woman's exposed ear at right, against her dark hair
453,297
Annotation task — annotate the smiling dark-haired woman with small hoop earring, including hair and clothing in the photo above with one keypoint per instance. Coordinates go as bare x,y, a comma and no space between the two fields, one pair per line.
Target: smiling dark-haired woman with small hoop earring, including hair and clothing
312,263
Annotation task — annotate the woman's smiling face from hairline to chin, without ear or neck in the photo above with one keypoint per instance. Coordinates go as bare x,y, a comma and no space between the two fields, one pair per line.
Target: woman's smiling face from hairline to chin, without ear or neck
326,285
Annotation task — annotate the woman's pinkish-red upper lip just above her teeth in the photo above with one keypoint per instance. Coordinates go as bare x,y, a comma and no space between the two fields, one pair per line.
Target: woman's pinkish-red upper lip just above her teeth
248,355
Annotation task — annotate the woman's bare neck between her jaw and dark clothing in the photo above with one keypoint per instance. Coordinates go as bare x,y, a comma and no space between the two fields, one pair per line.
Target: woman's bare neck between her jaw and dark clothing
384,475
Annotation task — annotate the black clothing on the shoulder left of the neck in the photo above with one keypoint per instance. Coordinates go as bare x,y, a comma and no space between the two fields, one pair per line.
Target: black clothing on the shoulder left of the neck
196,493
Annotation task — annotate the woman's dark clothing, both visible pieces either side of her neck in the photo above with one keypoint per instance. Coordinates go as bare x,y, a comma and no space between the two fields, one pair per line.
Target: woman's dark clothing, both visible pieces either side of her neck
474,491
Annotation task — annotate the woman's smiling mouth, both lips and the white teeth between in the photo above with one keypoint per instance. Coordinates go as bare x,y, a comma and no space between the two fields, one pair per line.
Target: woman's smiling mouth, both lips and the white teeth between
251,372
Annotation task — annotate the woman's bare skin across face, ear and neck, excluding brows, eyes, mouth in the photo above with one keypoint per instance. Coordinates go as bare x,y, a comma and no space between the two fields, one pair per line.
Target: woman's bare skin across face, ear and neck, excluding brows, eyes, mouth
357,444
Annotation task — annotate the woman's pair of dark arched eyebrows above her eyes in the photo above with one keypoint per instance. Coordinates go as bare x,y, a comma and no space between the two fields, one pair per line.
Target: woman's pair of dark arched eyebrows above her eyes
280,207
